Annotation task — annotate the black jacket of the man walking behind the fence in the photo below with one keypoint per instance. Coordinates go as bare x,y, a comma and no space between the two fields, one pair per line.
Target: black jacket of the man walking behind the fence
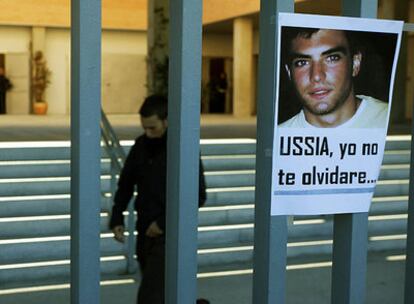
146,168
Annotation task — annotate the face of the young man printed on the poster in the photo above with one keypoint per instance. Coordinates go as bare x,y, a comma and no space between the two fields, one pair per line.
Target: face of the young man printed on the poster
321,70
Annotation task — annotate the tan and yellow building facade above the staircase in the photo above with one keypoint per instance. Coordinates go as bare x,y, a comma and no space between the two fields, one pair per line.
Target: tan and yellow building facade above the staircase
230,52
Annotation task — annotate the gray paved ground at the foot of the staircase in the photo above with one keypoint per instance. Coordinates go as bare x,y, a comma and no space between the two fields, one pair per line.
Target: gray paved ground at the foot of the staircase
385,285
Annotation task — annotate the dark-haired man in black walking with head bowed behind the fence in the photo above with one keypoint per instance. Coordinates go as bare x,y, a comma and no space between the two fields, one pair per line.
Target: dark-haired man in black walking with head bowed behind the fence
145,169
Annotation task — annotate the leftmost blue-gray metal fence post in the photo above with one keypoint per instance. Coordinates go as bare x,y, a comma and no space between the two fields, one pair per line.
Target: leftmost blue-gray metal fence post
85,150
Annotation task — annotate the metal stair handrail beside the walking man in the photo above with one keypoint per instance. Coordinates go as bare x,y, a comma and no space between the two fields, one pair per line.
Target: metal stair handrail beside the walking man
117,156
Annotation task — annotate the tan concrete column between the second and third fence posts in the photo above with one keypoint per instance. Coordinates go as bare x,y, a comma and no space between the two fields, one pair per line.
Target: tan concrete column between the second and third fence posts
243,67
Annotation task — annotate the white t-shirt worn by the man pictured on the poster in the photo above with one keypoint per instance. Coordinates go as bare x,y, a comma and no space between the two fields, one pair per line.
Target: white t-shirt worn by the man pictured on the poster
371,113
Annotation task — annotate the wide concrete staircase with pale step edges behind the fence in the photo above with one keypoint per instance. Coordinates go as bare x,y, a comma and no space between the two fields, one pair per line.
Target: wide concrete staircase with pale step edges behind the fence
35,208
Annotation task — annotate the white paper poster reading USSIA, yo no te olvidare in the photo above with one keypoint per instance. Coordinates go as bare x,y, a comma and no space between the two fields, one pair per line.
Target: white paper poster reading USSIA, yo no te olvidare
333,103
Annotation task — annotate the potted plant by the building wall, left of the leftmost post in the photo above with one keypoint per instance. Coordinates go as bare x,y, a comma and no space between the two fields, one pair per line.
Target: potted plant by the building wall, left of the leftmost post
40,81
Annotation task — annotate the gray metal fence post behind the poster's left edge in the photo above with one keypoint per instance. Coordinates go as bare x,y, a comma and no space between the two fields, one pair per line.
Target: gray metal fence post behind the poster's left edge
270,237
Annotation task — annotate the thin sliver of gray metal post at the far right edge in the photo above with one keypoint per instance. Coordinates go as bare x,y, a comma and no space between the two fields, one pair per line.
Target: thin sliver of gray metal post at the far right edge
409,263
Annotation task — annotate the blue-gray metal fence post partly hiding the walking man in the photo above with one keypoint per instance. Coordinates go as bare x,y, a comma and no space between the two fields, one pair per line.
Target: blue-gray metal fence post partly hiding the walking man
183,150
